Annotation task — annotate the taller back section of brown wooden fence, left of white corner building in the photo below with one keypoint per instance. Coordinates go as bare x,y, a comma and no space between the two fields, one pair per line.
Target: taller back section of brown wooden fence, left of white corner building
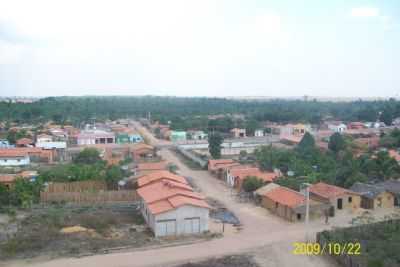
80,186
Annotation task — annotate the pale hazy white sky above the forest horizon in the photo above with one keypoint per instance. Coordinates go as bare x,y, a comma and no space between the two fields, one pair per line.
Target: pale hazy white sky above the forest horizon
200,48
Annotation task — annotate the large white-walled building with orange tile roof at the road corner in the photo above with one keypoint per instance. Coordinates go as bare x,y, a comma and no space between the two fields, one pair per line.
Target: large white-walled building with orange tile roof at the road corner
172,208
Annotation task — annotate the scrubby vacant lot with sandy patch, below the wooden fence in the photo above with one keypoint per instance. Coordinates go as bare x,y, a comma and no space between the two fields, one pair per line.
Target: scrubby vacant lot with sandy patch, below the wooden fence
62,231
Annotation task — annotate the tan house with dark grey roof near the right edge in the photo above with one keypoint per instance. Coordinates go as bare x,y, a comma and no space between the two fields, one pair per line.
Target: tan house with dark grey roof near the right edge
374,196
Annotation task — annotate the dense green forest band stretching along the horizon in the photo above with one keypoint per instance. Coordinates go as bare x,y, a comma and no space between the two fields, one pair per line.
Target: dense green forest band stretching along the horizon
178,109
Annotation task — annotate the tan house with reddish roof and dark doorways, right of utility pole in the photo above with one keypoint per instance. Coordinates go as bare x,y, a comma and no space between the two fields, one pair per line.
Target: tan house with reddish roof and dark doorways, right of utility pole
338,197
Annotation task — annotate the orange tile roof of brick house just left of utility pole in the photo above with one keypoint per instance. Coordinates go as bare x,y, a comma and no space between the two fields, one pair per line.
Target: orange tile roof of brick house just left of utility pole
285,196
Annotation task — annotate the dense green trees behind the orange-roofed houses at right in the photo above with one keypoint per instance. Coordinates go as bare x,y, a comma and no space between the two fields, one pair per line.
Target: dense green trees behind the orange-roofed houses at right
340,165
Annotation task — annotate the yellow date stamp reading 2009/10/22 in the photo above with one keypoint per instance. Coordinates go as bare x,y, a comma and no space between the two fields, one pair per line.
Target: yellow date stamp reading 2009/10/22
303,248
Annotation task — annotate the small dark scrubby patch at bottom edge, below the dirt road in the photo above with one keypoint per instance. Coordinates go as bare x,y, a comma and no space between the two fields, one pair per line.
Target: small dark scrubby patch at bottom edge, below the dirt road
227,261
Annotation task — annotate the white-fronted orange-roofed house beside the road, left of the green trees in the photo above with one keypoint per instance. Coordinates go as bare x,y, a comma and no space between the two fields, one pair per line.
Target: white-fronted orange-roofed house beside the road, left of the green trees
236,175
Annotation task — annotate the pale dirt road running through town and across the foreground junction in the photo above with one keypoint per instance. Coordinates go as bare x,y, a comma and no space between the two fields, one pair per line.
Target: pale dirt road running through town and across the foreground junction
268,236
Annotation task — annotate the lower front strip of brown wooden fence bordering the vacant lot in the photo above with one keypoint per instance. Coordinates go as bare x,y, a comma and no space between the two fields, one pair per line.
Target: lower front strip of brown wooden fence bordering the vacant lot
90,197
